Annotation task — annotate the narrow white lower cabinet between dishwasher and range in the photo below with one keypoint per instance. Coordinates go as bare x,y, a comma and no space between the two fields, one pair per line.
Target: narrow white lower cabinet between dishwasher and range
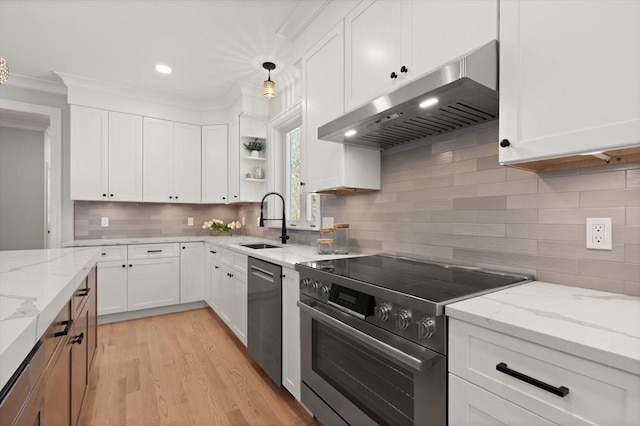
291,332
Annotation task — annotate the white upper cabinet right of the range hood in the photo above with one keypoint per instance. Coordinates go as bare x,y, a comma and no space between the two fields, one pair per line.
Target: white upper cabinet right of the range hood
569,78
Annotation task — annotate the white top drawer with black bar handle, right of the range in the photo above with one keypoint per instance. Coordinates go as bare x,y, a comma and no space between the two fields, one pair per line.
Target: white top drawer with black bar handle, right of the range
597,393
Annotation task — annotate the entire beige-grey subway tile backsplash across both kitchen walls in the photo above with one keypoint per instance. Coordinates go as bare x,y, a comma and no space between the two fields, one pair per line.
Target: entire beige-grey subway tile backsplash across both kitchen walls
452,201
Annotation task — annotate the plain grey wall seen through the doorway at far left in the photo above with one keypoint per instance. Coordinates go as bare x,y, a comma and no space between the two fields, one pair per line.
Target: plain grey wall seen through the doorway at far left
22,221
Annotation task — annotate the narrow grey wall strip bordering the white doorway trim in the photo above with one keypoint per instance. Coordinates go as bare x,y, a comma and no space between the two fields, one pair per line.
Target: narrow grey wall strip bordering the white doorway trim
37,97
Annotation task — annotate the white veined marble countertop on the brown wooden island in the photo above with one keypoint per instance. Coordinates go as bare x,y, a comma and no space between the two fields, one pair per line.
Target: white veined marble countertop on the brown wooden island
34,286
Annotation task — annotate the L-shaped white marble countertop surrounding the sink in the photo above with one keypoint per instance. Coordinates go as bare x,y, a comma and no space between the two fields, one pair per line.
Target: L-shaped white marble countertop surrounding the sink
286,255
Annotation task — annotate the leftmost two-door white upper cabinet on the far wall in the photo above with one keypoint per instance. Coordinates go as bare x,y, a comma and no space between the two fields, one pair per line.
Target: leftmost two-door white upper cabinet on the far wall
106,155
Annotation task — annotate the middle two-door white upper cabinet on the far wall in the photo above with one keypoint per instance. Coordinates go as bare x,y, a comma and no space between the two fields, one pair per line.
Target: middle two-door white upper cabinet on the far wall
172,161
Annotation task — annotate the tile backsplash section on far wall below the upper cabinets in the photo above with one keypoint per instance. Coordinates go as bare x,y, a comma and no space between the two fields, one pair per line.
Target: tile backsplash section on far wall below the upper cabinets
138,220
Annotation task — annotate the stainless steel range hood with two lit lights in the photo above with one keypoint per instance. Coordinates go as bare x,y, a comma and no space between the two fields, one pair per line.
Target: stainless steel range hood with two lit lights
460,94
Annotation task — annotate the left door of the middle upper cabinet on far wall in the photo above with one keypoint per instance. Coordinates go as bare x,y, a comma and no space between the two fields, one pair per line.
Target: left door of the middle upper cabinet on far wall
158,161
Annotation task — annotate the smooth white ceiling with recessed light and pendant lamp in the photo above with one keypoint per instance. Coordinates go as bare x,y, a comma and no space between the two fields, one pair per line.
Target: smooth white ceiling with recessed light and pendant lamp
211,45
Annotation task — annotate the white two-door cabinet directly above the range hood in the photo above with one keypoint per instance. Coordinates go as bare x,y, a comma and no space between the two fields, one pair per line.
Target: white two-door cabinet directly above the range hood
389,43
